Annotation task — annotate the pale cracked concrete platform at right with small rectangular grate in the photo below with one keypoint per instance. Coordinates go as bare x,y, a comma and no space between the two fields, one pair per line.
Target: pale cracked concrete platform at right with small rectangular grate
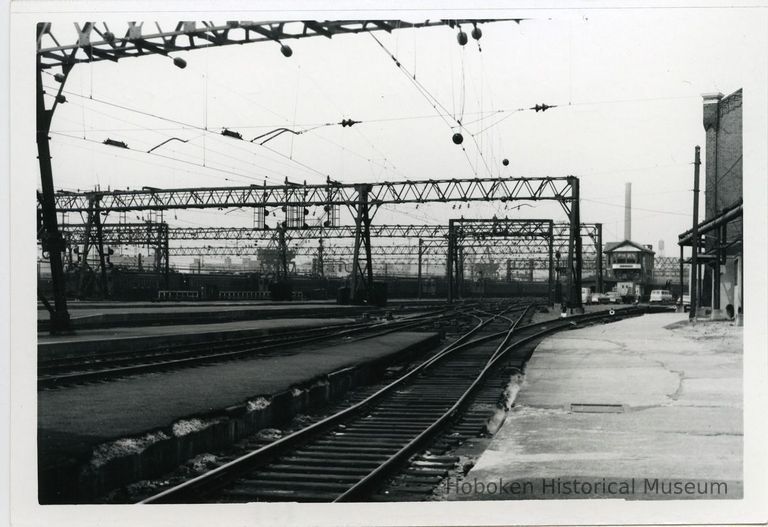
645,408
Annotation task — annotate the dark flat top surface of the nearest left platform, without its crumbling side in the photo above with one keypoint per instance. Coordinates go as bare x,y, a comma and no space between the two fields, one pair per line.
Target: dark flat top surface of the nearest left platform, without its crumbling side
72,420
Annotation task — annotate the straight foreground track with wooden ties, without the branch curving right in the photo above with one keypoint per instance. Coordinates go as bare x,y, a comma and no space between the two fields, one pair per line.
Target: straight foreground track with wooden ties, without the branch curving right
324,460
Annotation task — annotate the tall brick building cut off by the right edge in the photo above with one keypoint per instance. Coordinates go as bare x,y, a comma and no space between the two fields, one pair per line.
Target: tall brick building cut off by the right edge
720,249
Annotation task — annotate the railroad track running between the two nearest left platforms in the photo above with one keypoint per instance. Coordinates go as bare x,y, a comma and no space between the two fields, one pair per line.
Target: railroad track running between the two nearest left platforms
67,371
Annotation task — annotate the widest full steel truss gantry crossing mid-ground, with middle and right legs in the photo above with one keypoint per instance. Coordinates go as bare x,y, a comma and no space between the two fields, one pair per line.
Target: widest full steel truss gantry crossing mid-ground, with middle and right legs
362,199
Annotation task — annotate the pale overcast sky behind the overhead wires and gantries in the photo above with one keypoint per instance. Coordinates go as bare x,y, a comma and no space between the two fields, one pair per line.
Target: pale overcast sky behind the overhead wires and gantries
627,89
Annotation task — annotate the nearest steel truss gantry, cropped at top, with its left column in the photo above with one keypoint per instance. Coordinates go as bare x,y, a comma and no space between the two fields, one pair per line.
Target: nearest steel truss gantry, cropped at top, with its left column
94,43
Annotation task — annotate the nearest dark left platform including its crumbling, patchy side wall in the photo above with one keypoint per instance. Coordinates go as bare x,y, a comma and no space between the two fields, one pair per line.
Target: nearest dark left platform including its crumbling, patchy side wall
155,420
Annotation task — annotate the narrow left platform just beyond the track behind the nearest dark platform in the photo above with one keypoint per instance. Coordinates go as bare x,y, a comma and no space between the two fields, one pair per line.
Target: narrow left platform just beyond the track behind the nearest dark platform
94,341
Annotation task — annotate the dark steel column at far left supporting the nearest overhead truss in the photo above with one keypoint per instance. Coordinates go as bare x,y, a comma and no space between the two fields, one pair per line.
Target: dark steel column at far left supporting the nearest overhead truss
52,241
